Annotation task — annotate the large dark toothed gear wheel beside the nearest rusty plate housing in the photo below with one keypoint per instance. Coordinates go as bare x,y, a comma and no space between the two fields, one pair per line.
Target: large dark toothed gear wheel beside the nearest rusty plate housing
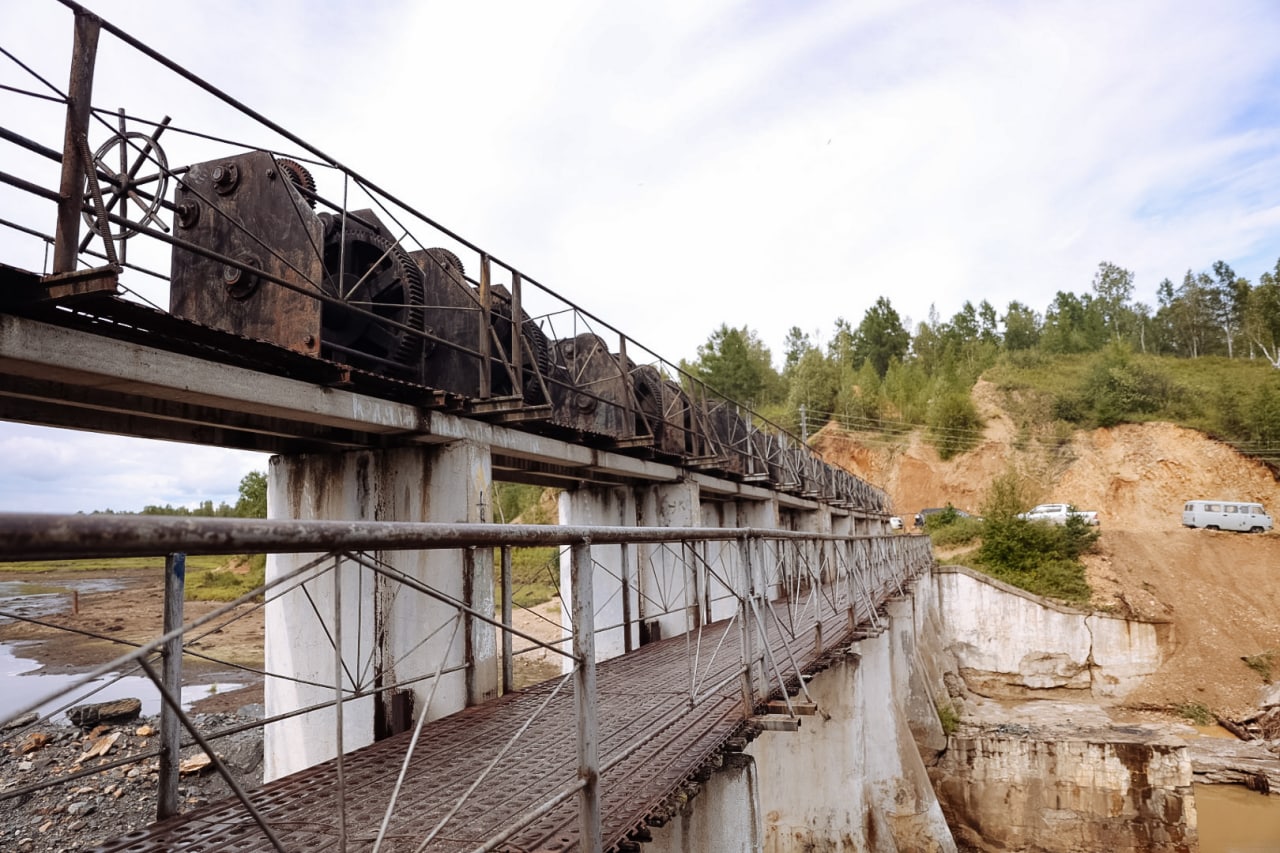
380,277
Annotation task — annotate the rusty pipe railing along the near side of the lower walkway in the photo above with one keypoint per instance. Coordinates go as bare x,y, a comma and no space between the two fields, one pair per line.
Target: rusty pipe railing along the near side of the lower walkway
765,564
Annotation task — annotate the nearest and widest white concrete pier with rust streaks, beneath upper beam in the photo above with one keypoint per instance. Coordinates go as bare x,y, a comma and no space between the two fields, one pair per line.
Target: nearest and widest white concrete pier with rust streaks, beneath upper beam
391,633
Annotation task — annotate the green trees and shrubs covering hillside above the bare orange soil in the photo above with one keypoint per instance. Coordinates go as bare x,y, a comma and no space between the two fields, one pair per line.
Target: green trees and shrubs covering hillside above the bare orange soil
1206,357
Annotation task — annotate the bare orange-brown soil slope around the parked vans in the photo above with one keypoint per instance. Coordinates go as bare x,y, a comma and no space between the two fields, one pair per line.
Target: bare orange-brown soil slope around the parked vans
1219,591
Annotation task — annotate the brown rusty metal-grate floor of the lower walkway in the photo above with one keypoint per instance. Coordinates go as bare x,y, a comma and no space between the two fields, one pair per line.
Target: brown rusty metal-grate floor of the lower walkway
643,699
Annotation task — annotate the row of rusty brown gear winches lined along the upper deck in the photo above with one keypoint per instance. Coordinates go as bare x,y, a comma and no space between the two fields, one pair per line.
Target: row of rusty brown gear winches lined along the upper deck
258,261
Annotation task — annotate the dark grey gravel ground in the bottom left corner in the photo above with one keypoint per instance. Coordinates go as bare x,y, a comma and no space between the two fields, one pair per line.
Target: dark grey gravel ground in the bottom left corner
84,813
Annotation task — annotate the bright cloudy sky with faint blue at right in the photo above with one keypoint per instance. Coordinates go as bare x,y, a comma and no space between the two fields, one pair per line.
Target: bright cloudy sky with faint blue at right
671,166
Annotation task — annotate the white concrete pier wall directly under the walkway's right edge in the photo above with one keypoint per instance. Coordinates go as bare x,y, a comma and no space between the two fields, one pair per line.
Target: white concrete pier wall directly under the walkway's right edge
853,778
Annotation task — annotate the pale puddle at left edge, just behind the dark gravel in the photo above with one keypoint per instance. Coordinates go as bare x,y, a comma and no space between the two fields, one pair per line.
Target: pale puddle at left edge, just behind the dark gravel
22,682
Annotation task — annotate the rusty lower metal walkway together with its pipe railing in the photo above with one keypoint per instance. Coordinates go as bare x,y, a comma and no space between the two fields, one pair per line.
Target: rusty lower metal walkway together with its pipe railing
587,761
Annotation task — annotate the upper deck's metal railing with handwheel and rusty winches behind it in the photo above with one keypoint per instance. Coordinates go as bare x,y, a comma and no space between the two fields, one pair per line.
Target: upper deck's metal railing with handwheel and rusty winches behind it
267,250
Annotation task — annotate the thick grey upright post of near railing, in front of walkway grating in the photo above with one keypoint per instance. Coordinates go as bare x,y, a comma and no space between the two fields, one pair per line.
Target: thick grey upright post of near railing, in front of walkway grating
584,697
